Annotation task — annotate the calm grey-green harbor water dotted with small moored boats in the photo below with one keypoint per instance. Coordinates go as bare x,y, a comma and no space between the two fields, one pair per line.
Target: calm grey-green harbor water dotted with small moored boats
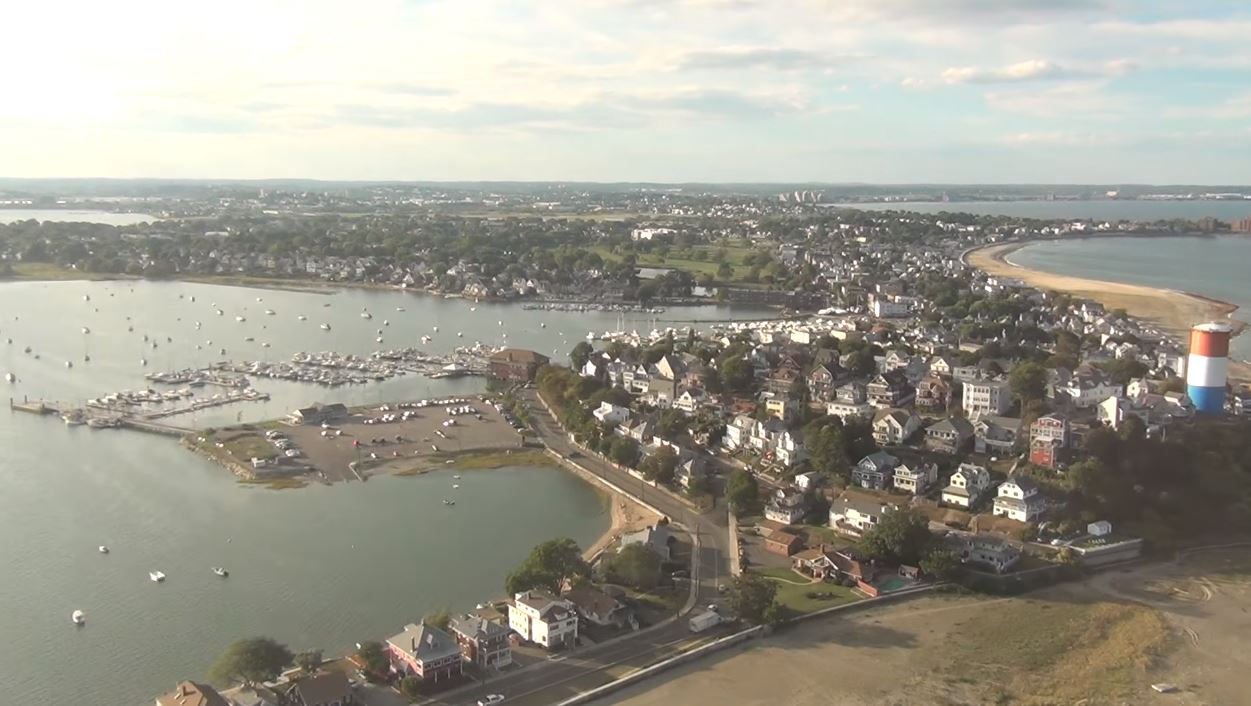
315,568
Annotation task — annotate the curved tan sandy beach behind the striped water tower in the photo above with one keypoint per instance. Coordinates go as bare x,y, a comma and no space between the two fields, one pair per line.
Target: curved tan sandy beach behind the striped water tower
1173,311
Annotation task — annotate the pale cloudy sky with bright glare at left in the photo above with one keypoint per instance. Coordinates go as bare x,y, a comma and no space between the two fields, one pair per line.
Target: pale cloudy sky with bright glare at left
631,91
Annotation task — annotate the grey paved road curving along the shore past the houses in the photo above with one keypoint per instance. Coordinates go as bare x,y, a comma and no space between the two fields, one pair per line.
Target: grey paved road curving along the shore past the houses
565,677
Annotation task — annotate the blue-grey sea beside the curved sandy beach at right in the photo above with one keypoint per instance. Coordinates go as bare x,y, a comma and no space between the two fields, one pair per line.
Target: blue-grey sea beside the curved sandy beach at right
1213,267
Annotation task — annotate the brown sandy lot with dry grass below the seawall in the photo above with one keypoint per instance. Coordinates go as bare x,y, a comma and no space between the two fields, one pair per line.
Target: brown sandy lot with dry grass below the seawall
1103,642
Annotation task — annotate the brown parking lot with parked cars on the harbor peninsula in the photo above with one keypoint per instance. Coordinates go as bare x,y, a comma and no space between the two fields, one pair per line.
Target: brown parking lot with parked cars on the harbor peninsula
385,436
